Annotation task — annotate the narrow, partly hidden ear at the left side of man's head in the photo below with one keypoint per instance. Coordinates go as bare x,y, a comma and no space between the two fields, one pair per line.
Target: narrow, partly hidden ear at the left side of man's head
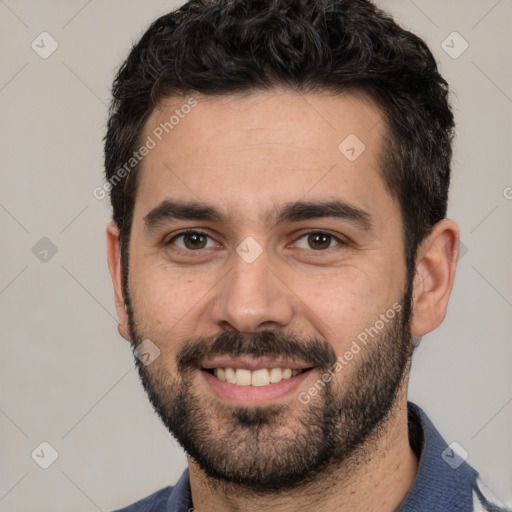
115,267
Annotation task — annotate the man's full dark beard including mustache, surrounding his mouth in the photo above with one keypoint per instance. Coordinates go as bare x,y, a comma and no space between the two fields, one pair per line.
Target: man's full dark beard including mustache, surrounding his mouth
265,449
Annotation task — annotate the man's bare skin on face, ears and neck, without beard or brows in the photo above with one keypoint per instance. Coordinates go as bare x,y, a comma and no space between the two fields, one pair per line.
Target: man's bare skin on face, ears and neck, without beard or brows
248,156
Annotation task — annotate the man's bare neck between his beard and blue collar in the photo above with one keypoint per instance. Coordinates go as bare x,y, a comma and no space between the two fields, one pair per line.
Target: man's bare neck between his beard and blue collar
376,478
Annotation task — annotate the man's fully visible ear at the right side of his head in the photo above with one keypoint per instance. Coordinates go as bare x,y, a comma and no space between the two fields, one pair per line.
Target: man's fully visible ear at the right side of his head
435,272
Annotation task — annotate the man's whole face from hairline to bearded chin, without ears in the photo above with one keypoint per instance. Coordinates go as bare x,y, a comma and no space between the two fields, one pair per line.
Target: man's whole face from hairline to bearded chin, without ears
262,260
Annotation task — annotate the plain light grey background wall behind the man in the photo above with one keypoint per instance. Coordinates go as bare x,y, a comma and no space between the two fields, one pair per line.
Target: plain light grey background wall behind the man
67,378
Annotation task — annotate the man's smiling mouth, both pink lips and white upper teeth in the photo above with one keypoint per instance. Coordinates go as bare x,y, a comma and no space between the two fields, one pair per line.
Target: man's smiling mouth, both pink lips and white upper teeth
250,380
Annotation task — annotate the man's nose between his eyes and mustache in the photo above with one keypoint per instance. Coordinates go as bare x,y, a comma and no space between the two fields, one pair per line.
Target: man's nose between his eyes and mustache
252,297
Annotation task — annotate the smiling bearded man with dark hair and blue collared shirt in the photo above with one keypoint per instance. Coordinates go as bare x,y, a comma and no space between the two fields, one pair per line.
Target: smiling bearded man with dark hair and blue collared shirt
279,175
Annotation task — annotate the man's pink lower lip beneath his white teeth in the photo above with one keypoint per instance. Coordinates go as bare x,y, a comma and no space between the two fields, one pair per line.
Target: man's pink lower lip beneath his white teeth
255,395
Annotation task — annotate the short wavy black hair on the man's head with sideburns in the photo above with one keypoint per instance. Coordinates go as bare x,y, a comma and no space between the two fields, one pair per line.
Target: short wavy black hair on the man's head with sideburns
221,47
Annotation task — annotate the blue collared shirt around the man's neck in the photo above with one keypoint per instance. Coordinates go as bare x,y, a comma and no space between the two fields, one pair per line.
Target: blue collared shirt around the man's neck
444,481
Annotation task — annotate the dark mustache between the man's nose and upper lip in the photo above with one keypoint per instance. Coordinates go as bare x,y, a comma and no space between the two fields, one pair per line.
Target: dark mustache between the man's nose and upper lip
313,351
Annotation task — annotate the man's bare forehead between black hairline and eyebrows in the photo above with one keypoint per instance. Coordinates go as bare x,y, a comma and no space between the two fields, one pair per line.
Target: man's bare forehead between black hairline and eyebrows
265,147
